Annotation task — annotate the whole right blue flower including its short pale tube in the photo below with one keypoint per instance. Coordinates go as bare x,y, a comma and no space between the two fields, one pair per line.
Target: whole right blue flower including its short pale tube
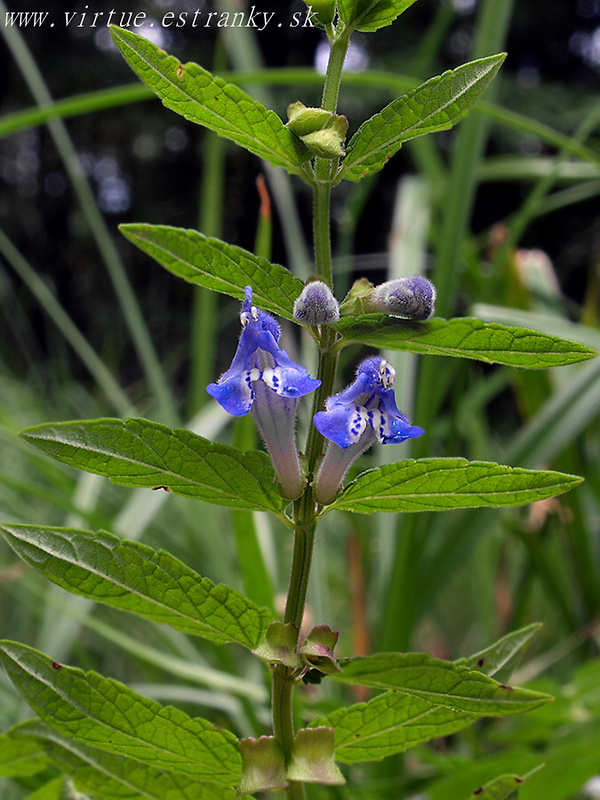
363,413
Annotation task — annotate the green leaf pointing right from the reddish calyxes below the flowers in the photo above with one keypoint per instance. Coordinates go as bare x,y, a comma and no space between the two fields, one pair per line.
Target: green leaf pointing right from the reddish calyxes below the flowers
441,683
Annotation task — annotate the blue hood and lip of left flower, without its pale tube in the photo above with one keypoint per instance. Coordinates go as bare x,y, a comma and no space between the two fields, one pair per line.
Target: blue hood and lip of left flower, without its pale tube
259,358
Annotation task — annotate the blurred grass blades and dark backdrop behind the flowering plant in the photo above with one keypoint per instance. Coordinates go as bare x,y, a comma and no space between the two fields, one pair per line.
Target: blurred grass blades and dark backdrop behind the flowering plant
91,327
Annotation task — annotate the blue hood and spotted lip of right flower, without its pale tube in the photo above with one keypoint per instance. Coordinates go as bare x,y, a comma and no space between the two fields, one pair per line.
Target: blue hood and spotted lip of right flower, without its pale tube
368,403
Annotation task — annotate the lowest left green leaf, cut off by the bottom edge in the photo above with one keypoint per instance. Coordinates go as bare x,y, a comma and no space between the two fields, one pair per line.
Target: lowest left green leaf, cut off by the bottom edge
108,776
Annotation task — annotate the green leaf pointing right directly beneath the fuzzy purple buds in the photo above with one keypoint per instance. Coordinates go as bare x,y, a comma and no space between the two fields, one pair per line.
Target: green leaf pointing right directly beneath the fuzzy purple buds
464,338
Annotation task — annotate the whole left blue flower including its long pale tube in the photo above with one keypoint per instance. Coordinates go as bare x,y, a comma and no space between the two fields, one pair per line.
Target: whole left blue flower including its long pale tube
263,379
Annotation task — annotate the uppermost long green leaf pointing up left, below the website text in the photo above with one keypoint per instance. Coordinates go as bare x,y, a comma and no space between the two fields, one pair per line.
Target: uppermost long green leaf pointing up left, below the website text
209,101
